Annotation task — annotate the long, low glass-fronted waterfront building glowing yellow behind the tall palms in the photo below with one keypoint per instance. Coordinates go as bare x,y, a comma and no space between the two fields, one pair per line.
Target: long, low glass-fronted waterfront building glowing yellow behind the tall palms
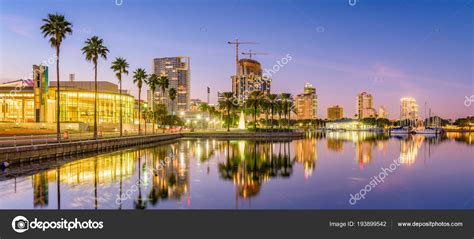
34,101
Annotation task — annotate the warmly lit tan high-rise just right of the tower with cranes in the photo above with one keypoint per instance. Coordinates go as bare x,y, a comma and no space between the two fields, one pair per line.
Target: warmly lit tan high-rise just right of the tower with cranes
306,103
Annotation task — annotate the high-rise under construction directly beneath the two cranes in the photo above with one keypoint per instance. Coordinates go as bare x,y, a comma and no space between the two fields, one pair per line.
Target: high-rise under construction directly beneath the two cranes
249,79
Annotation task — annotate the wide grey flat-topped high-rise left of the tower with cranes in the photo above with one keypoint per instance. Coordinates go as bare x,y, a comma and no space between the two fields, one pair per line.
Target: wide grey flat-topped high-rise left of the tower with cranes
177,69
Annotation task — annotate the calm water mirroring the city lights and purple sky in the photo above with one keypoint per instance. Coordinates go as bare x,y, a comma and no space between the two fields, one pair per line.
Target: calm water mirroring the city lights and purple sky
318,172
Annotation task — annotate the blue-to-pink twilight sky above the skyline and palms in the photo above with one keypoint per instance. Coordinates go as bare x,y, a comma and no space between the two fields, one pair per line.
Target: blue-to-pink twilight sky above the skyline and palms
389,48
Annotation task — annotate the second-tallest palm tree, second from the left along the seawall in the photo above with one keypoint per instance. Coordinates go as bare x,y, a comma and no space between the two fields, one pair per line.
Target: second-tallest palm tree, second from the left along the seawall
93,49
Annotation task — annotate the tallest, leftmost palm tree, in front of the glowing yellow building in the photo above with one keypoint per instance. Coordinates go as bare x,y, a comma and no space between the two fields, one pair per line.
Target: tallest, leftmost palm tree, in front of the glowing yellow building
56,27
